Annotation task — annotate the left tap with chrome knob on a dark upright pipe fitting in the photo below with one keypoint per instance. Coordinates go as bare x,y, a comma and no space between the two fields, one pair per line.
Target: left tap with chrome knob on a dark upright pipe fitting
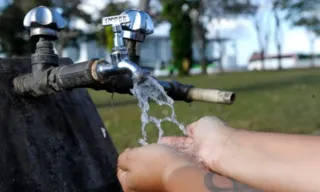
44,25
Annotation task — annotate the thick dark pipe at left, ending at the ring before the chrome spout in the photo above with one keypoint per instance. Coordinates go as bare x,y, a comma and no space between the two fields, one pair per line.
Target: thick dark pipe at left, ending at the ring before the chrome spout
55,79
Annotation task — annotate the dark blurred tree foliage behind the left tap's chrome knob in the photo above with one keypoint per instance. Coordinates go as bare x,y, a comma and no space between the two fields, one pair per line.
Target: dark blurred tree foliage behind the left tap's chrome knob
15,39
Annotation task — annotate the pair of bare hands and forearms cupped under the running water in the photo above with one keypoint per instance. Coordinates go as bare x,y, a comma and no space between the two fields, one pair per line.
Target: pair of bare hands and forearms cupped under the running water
213,153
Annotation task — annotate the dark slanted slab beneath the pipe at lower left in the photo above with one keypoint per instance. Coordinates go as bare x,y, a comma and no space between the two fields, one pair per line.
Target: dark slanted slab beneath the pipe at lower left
52,143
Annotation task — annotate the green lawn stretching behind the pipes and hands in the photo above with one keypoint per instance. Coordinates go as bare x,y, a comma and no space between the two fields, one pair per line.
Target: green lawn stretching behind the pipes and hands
284,101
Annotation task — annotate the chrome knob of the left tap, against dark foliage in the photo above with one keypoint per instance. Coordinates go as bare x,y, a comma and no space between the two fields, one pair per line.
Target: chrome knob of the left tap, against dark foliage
43,21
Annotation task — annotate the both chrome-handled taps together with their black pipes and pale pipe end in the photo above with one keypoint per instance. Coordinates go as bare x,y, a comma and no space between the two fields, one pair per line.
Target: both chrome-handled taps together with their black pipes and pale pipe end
48,76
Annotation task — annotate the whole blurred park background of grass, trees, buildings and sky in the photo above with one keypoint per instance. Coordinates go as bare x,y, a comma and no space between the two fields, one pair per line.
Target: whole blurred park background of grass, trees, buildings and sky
267,51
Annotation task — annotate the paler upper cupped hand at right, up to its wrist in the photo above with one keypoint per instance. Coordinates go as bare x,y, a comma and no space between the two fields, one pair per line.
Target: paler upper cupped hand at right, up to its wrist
205,141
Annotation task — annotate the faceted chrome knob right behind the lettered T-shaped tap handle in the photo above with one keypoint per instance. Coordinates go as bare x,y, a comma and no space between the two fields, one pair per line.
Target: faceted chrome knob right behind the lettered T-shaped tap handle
139,27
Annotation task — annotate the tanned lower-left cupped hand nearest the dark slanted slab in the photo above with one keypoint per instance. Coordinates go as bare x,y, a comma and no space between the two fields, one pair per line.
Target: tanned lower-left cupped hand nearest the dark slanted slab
147,168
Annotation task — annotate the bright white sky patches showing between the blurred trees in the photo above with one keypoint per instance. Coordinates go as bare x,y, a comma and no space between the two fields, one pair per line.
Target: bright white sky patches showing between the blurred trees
295,40
